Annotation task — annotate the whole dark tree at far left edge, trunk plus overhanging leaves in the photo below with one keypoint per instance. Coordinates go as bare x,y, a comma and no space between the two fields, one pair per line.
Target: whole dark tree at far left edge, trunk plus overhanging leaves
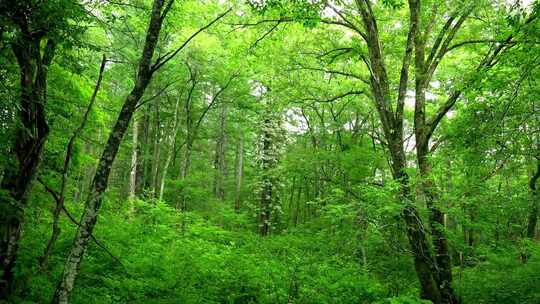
37,31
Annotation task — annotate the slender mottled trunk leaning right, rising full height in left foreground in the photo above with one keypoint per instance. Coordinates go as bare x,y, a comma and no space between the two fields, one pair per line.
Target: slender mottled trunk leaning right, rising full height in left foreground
99,183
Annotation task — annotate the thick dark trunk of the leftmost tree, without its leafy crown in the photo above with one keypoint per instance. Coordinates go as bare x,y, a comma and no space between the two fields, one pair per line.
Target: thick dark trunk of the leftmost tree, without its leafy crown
27,150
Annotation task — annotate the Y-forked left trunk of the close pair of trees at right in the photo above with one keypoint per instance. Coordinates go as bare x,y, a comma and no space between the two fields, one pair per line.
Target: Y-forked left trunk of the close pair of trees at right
392,125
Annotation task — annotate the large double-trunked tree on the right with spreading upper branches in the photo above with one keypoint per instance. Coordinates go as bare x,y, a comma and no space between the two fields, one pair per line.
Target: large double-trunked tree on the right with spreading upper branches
433,268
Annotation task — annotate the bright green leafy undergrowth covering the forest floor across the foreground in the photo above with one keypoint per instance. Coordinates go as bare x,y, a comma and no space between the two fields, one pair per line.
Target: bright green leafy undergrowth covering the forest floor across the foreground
171,257
